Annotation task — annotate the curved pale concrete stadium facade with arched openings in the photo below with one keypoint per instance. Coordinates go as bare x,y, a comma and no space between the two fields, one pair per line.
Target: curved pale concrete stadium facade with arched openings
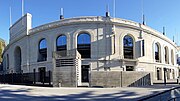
107,49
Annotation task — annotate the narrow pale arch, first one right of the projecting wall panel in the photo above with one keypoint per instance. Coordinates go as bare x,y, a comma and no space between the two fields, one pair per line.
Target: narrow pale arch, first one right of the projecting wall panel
157,52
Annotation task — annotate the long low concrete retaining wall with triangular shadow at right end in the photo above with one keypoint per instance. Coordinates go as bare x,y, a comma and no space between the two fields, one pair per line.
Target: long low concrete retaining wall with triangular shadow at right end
119,78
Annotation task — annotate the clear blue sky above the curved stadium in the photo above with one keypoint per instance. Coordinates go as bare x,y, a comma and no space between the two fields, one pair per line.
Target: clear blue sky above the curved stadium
158,13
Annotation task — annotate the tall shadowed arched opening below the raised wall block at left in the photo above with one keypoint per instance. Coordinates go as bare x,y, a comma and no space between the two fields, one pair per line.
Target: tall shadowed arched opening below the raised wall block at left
17,60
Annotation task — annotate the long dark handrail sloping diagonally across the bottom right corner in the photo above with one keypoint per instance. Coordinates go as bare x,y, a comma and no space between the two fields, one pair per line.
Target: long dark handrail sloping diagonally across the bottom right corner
152,96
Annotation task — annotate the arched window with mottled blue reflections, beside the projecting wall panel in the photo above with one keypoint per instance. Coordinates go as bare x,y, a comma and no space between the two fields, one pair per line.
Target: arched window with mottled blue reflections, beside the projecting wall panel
128,47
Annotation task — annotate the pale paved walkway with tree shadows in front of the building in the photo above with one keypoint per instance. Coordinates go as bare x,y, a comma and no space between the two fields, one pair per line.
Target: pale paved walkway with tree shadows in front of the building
30,93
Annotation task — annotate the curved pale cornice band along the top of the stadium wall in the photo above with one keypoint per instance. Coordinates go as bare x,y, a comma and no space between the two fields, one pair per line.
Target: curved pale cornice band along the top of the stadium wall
103,20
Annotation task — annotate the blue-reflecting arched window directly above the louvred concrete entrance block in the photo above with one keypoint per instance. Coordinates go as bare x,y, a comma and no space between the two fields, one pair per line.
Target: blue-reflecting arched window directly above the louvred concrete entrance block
61,43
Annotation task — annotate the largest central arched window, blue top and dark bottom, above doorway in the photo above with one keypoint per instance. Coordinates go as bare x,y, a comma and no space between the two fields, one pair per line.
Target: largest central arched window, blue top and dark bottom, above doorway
84,45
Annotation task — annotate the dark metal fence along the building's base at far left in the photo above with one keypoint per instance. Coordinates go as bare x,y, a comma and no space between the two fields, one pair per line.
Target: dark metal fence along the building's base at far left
35,78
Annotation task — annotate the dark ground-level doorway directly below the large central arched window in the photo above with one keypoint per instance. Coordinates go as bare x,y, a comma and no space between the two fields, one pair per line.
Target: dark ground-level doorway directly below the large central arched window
85,73
